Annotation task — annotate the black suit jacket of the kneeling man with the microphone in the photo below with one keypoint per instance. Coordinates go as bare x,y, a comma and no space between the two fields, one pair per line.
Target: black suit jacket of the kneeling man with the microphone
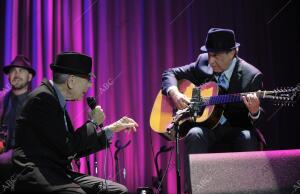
42,139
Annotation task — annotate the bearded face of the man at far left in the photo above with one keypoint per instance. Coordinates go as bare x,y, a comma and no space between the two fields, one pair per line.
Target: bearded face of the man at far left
19,78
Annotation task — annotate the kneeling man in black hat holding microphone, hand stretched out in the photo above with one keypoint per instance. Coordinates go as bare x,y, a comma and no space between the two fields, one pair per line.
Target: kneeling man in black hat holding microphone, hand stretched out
46,141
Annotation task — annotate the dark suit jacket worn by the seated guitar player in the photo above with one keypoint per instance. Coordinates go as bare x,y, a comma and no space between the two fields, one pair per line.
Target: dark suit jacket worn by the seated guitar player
245,78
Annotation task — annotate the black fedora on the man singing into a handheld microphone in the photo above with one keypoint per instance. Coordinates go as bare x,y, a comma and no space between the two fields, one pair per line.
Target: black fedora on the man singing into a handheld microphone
72,63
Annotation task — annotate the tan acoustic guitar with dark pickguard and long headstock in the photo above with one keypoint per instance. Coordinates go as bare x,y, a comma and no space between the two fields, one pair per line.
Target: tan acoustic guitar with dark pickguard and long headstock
206,106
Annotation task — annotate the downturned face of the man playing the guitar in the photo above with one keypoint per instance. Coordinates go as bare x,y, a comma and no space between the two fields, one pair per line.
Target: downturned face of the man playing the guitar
220,61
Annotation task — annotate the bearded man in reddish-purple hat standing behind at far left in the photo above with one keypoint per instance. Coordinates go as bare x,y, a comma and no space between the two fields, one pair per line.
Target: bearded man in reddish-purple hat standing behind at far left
20,74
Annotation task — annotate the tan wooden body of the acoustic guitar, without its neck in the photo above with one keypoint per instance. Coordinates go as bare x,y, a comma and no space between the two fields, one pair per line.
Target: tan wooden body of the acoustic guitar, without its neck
163,111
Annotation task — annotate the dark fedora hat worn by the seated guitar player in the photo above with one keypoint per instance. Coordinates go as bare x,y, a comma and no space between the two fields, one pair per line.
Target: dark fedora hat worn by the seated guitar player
219,39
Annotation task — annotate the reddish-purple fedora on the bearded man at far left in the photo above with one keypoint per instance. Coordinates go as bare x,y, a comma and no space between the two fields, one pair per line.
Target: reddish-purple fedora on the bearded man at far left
22,62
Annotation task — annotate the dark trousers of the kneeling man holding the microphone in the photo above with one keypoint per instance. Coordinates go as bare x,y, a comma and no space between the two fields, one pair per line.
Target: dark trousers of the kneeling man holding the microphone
33,179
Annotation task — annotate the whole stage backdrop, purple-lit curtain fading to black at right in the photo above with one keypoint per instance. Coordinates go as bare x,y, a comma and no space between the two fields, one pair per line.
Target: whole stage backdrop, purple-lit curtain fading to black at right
132,42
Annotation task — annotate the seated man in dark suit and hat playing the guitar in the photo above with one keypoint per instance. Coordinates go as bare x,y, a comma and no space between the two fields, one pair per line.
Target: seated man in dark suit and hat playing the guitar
221,64
